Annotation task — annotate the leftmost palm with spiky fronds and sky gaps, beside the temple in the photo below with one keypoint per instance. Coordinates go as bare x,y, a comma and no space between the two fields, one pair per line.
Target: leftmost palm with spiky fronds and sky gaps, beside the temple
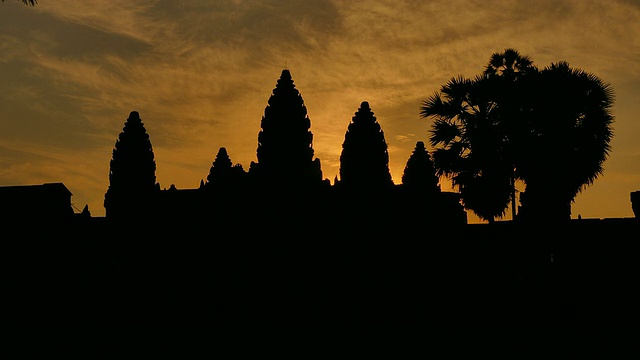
469,143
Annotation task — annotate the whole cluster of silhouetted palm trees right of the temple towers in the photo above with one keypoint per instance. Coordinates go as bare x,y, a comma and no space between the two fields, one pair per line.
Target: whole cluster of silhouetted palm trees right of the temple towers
549,129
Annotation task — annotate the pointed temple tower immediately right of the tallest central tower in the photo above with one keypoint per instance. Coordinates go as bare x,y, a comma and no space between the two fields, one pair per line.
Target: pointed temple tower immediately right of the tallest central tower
364,161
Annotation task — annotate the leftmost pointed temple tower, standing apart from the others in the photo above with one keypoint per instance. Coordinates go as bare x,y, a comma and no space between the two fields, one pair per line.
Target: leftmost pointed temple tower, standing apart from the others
132,177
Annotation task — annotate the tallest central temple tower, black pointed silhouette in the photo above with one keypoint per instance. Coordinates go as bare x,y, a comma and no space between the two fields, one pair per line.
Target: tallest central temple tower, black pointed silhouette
285,143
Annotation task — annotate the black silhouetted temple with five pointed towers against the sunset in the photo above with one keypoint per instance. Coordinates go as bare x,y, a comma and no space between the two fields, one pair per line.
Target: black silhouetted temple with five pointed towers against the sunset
286,179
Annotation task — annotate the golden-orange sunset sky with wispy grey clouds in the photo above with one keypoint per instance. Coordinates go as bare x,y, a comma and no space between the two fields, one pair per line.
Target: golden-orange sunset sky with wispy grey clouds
200,74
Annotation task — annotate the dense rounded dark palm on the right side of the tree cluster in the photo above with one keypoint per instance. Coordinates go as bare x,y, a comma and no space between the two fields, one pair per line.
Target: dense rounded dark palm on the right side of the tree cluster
570,129
